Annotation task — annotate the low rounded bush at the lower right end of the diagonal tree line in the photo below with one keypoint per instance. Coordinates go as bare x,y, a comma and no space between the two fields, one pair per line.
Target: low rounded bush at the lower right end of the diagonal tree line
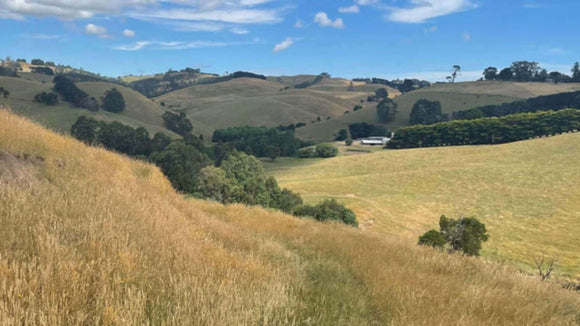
328,210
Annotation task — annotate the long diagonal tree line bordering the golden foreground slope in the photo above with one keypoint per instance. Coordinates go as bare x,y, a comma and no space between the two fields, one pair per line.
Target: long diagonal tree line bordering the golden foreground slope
220,173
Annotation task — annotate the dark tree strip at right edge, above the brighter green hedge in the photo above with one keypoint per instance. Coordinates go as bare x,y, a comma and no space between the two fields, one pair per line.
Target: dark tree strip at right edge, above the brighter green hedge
553,102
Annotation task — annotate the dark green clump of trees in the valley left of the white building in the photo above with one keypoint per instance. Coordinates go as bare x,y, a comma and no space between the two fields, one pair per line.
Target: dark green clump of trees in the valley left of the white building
256,140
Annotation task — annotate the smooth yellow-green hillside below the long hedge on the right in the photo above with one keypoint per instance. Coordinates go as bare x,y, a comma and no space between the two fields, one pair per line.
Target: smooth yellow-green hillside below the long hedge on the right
526,193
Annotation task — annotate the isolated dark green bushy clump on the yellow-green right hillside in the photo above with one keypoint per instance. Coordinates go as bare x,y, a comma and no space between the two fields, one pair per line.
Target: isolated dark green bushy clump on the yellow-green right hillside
465,234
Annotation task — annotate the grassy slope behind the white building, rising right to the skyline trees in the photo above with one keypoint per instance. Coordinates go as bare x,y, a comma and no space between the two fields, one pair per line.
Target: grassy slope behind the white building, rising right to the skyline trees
453,97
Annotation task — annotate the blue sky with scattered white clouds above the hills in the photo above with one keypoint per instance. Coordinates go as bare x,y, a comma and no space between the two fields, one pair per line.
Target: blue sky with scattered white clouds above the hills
346,38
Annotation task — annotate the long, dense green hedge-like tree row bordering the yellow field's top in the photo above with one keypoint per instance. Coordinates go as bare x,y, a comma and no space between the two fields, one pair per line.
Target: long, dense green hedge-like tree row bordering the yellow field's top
487,130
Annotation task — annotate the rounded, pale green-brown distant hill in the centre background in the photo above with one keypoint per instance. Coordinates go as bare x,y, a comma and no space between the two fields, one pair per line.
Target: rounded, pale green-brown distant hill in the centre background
255,102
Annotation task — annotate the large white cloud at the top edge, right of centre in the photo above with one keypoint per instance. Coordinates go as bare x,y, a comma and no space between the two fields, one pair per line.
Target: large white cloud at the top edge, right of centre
423,10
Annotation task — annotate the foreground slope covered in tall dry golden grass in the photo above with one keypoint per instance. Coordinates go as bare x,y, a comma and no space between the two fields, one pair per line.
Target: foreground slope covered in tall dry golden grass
91,237
